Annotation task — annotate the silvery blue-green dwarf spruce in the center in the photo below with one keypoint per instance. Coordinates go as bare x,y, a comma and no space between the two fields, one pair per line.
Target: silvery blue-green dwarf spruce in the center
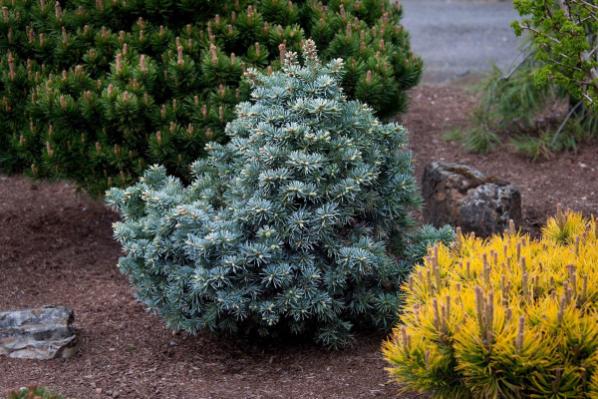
287,228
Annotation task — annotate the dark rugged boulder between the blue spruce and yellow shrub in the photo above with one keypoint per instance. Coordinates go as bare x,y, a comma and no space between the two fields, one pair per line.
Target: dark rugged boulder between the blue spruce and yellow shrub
463,196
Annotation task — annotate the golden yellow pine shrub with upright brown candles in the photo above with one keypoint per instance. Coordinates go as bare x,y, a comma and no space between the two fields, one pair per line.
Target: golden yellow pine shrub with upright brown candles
507,317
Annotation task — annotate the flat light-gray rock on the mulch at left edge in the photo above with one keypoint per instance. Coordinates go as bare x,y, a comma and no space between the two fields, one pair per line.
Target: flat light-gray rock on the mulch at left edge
41,333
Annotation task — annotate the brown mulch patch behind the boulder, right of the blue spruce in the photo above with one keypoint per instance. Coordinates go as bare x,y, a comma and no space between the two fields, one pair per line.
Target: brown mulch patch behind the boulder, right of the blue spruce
568,180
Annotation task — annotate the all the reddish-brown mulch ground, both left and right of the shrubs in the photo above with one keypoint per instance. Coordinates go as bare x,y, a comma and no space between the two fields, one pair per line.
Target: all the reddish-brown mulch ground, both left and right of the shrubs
56,247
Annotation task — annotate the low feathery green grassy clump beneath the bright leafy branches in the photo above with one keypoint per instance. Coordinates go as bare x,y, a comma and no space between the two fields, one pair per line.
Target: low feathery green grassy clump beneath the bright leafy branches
533,117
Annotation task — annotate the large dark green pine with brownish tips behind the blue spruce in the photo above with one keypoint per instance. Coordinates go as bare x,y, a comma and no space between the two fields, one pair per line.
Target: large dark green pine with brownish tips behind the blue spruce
95,90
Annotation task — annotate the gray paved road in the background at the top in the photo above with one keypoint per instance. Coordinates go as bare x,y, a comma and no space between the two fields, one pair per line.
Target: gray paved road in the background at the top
461,37
